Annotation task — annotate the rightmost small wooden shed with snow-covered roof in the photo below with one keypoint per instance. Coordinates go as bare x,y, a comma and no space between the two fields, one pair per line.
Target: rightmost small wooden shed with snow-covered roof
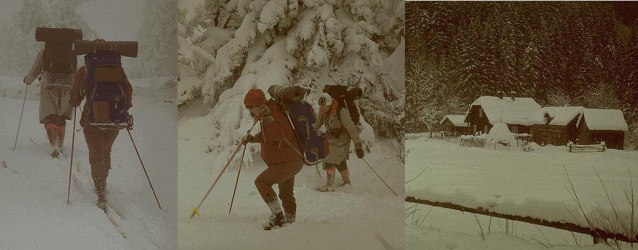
608,125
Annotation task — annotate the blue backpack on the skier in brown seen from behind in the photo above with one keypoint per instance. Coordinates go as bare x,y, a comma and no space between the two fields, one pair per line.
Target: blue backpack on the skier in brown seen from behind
107,104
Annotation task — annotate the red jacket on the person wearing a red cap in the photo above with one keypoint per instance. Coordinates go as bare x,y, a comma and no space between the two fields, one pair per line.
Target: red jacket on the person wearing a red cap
277,137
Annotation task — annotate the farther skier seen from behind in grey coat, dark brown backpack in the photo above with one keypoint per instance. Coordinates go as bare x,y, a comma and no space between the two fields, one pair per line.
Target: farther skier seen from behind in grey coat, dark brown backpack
54,66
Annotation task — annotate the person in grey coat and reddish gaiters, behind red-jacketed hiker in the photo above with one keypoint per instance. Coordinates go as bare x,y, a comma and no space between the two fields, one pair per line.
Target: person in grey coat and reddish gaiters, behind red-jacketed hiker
341,130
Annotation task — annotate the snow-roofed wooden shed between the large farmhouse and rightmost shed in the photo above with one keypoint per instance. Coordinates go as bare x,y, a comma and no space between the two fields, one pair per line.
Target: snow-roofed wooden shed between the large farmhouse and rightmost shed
556,125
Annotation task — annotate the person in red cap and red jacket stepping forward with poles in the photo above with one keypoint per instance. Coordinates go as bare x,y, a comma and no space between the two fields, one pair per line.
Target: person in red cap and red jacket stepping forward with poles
279,152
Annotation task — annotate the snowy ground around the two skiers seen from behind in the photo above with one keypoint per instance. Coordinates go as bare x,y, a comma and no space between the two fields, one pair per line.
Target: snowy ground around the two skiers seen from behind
33,186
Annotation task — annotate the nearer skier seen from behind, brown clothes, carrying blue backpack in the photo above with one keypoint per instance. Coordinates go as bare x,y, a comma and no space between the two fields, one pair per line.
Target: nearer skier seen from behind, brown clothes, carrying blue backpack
108,93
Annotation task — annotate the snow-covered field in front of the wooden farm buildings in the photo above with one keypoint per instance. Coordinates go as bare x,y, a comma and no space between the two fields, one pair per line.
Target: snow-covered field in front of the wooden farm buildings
513,182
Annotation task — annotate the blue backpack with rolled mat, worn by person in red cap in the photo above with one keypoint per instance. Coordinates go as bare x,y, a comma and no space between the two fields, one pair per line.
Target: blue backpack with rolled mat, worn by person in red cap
301,116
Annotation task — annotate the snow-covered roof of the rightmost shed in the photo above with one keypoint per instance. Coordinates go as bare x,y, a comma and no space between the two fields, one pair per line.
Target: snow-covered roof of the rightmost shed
604,119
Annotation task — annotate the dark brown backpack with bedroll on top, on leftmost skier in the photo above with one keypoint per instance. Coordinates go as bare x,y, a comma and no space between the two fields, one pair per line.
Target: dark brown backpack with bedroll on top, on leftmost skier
58,55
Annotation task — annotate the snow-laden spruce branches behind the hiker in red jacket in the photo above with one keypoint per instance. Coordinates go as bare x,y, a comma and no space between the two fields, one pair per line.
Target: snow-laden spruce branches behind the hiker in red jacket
227,49
